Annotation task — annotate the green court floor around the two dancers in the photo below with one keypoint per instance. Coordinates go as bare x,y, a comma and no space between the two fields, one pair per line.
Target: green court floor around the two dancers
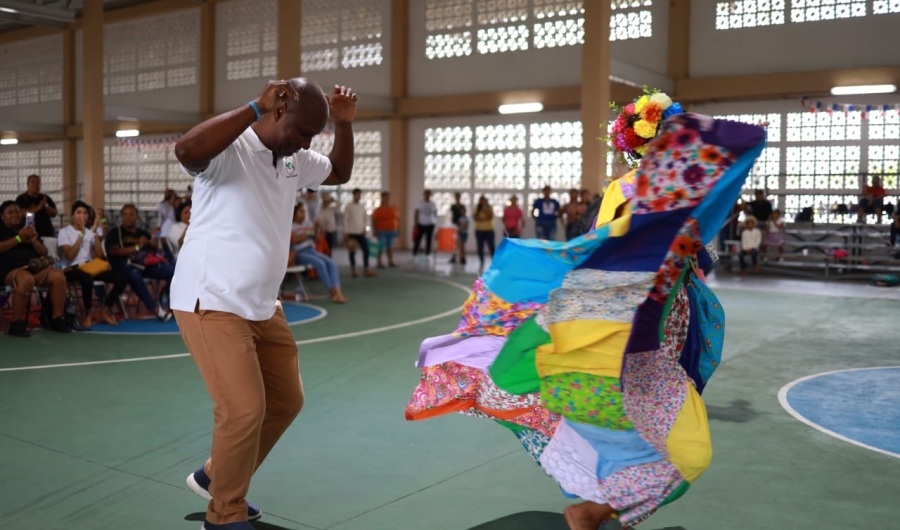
108,445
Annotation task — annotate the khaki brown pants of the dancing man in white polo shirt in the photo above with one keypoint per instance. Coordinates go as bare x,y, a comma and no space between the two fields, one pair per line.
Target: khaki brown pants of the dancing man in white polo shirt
252,374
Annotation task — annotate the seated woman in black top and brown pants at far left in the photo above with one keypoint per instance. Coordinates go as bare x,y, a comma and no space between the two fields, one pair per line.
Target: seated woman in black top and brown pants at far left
24,264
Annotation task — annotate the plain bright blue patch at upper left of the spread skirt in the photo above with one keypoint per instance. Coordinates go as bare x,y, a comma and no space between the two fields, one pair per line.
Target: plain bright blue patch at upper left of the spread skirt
526,270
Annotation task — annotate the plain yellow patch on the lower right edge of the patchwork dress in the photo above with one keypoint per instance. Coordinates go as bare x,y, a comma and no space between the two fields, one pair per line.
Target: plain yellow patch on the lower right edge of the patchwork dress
689,442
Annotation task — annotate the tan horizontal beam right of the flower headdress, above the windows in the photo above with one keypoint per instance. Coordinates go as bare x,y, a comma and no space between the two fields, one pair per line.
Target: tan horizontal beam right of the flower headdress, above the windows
780,86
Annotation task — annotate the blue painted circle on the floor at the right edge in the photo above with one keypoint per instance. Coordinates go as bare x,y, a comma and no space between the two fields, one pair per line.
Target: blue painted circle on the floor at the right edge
861,405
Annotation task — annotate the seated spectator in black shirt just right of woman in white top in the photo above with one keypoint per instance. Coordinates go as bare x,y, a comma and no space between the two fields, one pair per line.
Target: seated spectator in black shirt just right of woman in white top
132,251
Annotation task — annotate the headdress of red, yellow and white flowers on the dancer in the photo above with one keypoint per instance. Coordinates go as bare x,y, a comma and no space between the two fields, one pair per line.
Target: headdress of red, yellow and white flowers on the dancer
638,123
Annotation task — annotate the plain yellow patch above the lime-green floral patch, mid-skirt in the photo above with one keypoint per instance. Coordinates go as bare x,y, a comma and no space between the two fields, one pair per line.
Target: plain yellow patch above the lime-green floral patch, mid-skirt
590,346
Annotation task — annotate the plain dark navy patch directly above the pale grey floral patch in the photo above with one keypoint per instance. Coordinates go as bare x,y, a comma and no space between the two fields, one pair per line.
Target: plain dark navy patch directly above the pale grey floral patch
644,247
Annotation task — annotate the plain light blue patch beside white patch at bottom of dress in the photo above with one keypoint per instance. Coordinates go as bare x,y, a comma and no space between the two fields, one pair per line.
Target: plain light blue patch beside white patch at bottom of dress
617,449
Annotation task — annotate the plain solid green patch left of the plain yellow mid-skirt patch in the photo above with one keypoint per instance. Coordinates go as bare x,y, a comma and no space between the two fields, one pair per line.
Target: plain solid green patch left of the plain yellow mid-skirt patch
515,369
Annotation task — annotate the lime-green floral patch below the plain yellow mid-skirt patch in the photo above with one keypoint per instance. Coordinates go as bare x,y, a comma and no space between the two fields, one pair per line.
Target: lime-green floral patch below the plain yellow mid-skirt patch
586,398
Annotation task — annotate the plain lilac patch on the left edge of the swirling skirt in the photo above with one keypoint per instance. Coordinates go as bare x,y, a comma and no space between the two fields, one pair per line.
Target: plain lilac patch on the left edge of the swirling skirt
477,352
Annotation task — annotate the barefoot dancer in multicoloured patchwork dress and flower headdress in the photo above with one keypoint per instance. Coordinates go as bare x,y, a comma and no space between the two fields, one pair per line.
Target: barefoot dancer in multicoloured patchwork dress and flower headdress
594,352
